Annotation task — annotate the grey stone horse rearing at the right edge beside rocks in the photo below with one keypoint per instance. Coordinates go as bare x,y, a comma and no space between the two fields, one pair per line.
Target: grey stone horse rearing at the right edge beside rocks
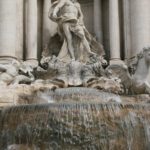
138,80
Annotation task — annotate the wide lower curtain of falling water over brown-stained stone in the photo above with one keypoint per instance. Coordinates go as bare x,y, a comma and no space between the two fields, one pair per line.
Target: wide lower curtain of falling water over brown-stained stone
80,126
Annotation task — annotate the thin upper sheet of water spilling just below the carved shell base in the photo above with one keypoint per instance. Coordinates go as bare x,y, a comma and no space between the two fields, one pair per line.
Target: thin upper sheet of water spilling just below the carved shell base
78,94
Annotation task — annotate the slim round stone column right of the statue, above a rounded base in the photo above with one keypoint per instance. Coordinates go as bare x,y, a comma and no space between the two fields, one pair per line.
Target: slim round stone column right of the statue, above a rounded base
114,30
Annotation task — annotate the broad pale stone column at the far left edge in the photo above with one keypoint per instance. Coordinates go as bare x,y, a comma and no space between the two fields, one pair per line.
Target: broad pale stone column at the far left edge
7,30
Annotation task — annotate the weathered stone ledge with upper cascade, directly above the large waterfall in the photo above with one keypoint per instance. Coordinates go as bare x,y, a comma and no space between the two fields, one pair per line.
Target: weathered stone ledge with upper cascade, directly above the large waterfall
49,93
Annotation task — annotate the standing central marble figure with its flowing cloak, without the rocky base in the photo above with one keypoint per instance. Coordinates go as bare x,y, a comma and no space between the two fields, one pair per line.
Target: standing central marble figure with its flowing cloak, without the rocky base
68,15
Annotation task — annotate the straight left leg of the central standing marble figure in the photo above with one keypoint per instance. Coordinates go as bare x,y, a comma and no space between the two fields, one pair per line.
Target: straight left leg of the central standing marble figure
68,37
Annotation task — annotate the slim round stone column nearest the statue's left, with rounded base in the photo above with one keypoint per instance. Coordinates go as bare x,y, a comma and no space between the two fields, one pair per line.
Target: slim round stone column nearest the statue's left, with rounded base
32,32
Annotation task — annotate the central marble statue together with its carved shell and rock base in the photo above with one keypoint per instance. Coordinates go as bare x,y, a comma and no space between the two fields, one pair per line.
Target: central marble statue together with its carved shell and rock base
85,66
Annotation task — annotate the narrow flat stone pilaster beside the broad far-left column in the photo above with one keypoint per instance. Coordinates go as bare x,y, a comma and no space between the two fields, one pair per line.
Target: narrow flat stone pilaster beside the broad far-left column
20,29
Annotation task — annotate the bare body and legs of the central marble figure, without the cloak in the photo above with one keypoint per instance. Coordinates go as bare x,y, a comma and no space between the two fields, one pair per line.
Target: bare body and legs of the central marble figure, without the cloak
68,15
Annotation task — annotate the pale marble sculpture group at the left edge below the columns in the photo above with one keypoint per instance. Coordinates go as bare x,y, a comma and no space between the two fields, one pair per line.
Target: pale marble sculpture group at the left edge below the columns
16,73
